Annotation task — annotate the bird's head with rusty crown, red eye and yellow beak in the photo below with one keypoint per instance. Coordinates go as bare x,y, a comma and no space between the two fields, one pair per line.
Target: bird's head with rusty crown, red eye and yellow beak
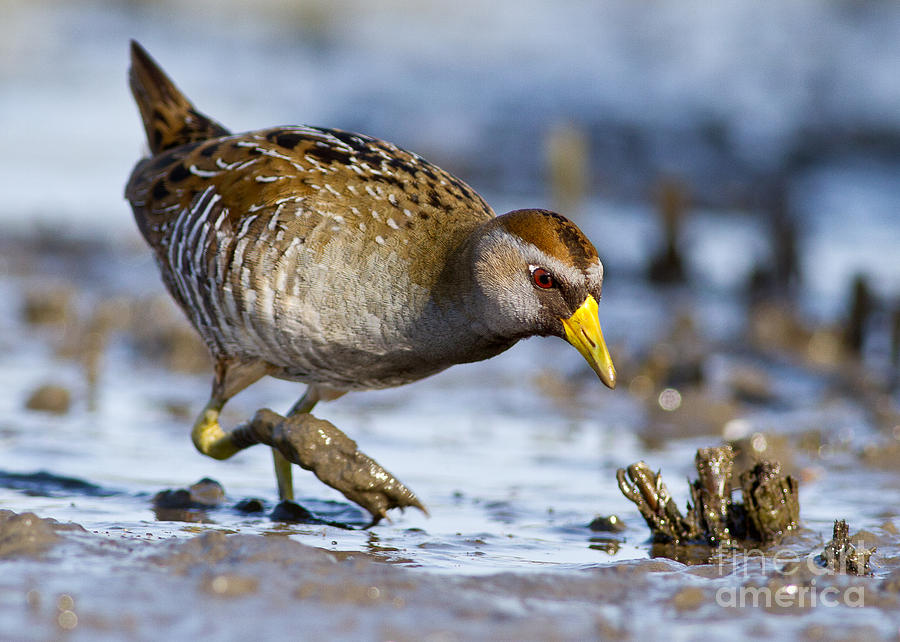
536,273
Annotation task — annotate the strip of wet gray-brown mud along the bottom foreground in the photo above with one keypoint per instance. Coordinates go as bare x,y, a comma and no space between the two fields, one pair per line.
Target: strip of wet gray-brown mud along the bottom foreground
232,586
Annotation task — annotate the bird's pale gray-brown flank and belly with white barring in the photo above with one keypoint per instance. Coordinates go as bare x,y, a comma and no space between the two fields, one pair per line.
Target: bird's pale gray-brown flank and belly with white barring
294,287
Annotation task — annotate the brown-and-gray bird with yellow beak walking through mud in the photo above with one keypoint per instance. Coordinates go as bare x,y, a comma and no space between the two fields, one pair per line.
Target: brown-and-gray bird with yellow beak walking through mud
341,261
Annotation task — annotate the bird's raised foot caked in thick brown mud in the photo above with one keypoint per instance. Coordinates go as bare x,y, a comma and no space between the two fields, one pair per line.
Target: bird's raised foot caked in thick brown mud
317,445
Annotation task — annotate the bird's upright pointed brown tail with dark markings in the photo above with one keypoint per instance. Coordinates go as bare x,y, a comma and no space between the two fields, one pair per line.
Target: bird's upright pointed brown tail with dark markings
169,118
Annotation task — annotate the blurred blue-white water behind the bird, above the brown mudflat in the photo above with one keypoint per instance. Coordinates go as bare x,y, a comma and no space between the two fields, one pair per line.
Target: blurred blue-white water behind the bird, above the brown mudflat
755,120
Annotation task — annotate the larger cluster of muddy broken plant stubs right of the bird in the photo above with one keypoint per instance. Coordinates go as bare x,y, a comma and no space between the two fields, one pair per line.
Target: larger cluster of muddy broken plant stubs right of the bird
770,506
